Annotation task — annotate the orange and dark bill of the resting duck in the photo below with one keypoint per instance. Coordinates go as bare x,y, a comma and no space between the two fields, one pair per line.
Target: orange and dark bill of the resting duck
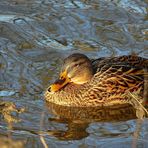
60,83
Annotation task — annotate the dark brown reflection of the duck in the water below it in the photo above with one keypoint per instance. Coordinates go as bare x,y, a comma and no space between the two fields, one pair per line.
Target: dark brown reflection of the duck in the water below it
78,119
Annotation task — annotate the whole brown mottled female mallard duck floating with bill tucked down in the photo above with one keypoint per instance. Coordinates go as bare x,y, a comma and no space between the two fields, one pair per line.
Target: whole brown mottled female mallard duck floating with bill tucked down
104,81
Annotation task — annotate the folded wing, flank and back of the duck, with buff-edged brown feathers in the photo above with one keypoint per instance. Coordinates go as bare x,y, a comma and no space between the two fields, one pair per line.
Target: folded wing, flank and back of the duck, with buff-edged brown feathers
115,76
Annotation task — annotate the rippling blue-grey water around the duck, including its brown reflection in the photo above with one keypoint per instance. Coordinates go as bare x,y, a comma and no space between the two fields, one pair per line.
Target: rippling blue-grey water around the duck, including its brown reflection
35,35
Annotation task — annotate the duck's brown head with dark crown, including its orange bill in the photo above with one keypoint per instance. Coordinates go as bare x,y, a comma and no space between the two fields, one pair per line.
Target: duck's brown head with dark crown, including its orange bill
77,69
